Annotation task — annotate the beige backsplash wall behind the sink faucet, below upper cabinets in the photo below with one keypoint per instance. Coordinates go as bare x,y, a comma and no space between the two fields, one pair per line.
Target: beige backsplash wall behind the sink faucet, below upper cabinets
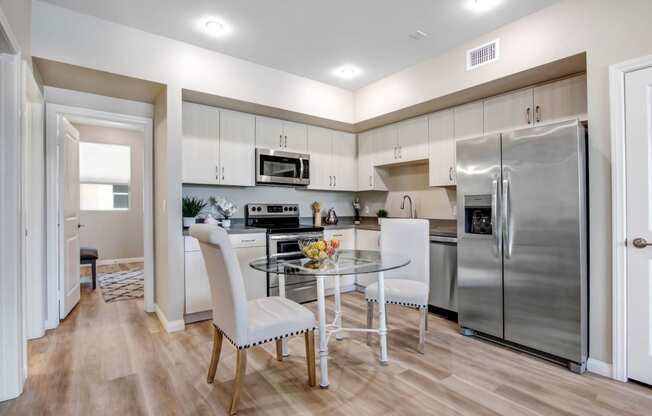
412,180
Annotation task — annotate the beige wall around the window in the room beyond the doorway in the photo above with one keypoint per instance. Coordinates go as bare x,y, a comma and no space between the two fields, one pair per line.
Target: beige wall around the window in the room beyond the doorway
116,234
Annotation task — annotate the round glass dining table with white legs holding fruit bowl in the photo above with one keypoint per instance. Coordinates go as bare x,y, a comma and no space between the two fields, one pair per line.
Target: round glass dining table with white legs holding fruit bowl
345,262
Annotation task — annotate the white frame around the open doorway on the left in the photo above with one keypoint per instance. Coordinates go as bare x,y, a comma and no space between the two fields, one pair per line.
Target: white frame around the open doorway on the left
53,203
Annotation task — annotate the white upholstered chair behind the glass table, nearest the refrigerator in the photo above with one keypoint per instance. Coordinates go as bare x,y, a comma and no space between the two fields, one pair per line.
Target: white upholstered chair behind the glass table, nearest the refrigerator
408,286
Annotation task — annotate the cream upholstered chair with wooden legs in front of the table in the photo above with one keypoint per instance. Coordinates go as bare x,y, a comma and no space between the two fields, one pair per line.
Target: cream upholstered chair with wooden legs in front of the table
247,323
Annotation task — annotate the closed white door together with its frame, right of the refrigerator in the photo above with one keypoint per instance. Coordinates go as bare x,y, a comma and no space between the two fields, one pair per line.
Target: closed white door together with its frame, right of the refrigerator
631,110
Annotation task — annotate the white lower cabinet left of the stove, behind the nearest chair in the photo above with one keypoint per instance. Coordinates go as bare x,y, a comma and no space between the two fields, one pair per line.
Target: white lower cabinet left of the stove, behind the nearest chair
198,294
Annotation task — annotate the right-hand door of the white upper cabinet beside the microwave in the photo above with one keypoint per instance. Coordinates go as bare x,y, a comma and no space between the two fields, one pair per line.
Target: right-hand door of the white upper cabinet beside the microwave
344,162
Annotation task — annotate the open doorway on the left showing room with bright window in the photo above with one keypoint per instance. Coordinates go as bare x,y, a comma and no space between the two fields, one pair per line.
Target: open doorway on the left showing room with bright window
99,169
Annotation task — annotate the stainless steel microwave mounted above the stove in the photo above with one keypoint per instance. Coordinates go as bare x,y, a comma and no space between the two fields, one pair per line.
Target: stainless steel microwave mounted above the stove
282,168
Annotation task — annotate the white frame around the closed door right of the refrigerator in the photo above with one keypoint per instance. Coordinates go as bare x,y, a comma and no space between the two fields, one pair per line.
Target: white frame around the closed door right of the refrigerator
617,73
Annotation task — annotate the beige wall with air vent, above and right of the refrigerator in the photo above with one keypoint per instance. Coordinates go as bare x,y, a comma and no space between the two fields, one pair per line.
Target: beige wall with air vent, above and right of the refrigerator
609,32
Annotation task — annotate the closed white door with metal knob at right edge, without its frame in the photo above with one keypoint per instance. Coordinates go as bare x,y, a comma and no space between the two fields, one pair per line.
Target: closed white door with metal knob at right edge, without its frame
638,92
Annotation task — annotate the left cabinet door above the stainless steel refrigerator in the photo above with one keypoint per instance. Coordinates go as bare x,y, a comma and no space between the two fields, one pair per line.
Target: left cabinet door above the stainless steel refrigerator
509,111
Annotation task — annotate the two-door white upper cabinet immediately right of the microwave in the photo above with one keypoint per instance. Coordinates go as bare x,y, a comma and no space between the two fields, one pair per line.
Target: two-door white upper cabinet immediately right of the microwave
333,161
